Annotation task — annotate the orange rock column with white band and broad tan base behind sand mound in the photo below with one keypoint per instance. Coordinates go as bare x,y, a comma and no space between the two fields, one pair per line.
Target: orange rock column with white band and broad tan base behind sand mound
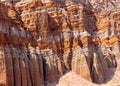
82,54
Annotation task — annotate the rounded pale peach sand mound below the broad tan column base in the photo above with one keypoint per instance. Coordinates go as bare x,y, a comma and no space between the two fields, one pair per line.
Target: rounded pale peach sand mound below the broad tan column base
71,79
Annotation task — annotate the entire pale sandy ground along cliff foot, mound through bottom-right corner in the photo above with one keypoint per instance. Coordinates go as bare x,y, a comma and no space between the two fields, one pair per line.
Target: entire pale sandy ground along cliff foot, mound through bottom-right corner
71,79
